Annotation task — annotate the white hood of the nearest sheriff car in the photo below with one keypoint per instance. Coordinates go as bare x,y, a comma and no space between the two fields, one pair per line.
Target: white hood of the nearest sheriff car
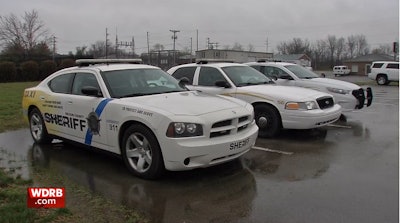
186,103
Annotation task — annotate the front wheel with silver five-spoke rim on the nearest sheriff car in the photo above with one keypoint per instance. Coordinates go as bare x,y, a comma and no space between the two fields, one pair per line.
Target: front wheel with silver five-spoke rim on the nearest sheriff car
141,152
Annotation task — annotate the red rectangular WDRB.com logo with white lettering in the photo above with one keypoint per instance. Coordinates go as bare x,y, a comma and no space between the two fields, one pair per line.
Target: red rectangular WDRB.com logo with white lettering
46,197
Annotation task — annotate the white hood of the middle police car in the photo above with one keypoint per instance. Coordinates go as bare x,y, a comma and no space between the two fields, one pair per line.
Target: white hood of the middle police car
287,93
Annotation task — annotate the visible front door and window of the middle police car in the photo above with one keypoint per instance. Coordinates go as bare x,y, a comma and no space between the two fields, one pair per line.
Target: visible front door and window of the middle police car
211,80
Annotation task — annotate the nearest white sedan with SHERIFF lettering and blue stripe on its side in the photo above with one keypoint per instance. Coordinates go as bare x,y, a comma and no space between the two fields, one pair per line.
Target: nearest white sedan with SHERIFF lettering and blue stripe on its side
141,113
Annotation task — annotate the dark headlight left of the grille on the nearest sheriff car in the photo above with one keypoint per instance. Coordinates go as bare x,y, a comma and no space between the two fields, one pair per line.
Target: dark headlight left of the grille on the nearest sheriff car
184,129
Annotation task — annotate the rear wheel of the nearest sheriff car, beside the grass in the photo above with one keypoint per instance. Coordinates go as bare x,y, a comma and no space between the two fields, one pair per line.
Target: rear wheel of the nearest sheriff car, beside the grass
37,127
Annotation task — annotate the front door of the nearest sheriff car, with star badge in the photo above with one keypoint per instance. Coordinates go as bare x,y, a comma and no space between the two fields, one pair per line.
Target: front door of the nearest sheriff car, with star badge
88,109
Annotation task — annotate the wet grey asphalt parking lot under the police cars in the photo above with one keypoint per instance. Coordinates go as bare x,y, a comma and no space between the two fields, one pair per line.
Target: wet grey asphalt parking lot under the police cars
348,172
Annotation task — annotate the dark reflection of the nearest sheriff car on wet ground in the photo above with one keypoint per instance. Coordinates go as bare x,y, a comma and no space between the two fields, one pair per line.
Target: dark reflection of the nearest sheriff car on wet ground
179,196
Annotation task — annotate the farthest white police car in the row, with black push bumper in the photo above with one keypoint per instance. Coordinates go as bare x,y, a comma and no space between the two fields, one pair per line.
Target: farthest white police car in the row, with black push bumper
350,96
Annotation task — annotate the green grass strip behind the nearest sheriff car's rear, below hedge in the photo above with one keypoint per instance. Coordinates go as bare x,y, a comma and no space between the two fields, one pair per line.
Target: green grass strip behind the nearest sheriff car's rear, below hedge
10,105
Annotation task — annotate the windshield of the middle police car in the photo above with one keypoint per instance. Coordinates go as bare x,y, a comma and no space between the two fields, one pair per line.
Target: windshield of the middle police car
245,75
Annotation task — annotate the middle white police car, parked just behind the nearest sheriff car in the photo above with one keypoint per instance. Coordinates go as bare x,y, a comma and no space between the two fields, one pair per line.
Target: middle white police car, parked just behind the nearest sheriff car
275,106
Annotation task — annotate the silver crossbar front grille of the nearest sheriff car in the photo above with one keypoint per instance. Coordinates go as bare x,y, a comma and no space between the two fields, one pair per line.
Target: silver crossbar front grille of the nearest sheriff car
230,126
